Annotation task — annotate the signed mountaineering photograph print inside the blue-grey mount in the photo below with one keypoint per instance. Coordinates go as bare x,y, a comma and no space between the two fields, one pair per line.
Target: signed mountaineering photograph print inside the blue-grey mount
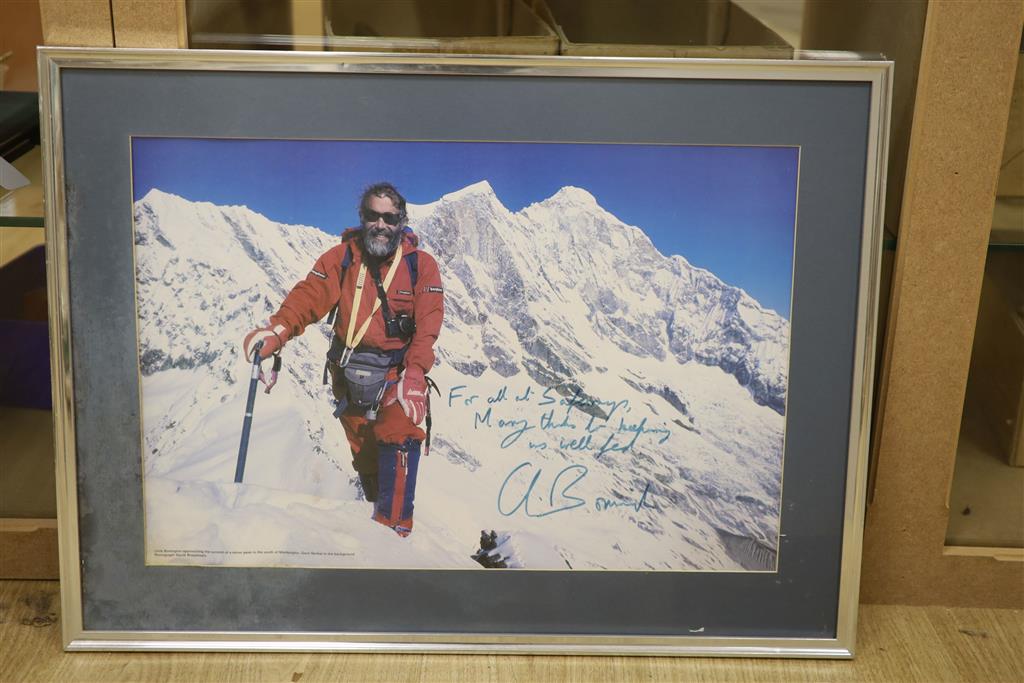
463,356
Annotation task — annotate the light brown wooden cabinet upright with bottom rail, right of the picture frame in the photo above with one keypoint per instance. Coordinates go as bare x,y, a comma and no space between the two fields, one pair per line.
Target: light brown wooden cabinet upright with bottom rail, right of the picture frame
968,65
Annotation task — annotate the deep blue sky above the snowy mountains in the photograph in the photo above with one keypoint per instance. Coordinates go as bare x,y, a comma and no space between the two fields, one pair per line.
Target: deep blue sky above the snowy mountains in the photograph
732,210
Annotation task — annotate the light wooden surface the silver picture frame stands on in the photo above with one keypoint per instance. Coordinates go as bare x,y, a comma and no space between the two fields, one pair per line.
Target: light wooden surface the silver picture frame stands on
930,645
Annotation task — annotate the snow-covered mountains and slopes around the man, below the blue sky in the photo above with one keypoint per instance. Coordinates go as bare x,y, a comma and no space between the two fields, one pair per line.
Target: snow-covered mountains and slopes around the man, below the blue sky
604,407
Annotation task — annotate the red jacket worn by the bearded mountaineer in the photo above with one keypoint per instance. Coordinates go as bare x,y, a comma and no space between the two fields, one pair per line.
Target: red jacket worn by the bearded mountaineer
314,297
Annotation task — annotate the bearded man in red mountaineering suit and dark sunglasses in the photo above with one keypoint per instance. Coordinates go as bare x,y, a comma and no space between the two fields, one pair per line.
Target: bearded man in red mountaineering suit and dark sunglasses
390,303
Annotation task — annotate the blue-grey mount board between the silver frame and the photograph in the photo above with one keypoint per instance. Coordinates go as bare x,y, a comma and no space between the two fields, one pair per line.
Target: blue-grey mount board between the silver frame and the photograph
829,120
